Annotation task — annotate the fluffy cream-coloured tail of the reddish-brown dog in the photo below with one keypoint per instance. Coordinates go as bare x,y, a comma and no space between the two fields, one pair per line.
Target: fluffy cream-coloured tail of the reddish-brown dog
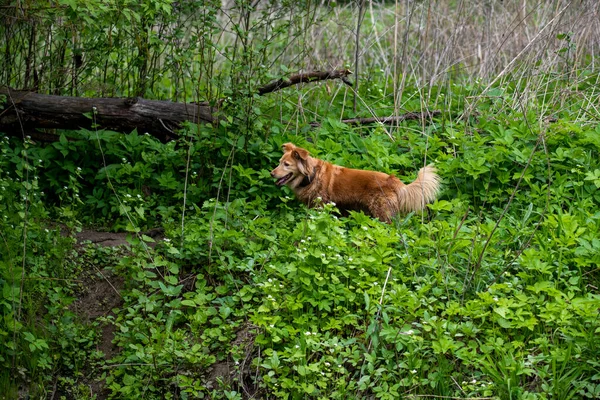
414,196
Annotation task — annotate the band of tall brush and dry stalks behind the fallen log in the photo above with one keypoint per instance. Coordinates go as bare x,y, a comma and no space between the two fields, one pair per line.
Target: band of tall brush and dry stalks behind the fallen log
430,43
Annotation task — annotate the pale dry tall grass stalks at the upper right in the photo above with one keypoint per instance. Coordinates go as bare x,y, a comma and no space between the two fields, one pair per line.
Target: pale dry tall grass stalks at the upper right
429,40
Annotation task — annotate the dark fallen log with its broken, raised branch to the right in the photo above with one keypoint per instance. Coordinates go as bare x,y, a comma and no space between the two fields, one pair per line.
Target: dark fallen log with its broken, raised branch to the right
25,112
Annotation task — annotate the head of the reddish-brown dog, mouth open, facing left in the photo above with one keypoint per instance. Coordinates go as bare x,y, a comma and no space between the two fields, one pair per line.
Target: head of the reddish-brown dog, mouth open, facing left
293,166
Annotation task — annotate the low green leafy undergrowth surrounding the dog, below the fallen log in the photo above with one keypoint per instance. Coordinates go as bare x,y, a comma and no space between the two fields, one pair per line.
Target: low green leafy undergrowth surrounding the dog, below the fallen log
492,293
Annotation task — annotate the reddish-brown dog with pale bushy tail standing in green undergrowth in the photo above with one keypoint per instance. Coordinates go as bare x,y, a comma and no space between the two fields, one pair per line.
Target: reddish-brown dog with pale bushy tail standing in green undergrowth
375,193
